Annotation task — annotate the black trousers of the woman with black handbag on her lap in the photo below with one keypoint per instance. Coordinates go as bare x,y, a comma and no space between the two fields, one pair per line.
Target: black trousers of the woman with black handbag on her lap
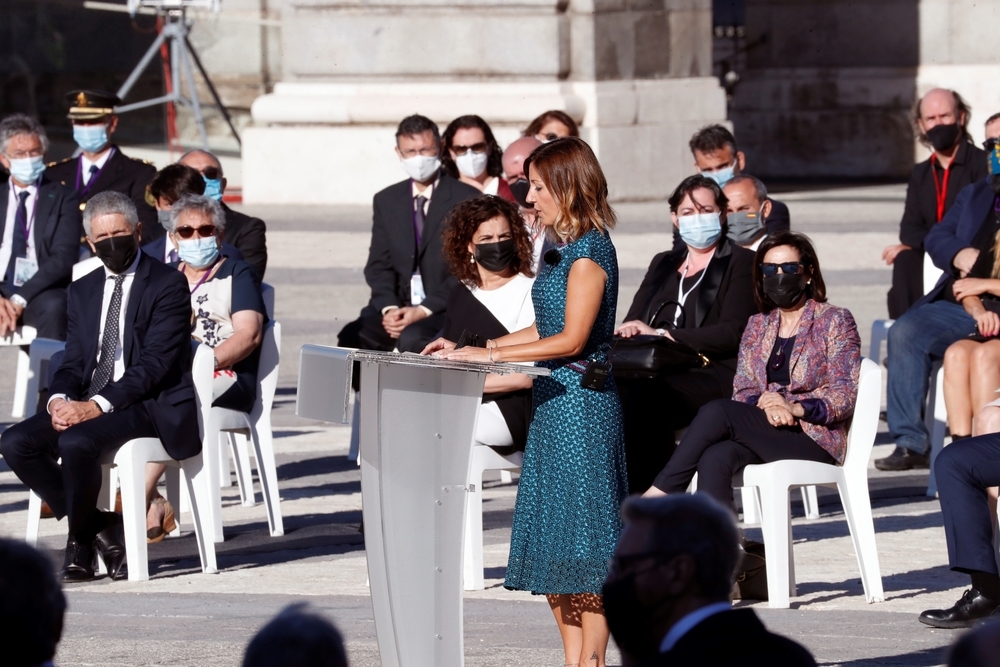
654,409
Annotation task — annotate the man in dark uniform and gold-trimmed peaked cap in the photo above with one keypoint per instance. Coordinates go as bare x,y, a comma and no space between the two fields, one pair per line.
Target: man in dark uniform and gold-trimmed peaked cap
102,166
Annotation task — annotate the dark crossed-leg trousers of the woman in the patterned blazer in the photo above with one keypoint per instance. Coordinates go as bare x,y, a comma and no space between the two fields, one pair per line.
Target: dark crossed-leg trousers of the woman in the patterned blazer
724,438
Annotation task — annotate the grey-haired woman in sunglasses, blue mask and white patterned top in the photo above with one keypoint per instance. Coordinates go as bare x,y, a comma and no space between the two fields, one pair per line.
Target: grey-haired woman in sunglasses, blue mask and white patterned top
227,314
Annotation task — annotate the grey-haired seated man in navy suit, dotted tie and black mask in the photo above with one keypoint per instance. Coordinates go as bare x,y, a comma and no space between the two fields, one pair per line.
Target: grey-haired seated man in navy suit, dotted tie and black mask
124,376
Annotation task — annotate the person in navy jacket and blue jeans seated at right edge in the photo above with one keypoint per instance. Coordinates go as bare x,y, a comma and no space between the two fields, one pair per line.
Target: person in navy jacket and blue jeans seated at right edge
937,320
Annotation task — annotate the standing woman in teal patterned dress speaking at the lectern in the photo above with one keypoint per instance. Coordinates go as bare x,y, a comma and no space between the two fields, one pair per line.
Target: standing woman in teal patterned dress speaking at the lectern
566,519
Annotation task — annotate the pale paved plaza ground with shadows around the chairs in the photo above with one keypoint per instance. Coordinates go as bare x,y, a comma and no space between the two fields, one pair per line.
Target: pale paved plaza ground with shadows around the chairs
182,617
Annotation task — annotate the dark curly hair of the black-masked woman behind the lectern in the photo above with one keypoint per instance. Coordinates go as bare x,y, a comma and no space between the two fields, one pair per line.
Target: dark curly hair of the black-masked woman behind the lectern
462,223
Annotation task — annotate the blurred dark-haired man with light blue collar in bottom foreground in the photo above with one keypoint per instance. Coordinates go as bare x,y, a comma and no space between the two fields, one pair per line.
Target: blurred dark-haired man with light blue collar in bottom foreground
667,593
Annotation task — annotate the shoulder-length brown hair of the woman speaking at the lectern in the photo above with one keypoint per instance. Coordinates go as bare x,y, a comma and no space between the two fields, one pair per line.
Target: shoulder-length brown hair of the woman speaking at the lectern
570,171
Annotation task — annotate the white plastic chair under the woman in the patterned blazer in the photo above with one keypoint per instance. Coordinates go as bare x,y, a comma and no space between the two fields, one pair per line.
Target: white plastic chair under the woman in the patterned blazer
773,481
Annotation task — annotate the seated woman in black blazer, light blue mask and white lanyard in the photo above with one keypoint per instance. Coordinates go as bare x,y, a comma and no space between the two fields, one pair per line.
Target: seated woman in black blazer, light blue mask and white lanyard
712,277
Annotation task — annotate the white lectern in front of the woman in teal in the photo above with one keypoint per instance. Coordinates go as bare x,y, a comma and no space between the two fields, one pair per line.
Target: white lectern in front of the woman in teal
418,419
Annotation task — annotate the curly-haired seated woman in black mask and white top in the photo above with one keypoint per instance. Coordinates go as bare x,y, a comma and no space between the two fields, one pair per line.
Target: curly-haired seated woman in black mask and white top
488,249
